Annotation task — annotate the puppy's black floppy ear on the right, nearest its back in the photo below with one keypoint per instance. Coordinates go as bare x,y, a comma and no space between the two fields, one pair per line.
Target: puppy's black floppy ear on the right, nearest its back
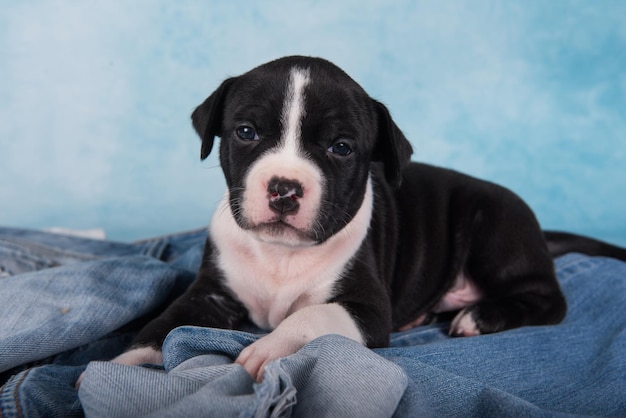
392,148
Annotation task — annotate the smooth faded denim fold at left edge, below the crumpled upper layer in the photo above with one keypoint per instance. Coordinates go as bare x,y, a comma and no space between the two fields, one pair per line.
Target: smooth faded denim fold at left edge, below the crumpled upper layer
50,311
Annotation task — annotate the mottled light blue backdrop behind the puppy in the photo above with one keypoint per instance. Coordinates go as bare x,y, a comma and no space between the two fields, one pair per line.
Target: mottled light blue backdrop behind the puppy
95,100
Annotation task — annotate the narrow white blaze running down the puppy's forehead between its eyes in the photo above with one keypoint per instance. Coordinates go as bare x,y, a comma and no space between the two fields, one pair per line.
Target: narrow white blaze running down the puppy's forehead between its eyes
294,110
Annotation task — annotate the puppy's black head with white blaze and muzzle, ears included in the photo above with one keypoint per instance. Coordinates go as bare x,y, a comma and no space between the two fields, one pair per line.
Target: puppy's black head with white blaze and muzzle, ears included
298,138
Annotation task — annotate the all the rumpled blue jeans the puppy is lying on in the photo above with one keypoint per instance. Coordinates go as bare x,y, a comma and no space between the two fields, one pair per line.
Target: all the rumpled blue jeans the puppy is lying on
55,320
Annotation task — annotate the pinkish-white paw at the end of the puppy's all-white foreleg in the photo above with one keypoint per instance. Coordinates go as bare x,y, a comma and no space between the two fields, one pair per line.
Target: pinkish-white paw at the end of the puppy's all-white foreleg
257,355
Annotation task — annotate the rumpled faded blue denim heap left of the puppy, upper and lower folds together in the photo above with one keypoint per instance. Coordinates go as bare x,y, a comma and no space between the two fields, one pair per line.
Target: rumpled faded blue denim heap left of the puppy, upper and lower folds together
79,301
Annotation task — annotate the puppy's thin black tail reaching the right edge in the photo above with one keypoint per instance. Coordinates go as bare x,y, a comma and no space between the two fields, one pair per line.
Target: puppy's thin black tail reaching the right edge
560,243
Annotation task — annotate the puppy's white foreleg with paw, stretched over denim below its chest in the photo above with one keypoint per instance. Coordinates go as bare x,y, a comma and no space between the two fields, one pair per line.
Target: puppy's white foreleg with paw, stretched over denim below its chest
295,331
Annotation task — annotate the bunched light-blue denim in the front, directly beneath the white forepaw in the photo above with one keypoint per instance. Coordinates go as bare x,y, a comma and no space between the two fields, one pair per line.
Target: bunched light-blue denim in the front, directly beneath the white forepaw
331,376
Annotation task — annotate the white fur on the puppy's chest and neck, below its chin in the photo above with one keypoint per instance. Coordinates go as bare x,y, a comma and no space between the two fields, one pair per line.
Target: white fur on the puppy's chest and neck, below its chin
275,280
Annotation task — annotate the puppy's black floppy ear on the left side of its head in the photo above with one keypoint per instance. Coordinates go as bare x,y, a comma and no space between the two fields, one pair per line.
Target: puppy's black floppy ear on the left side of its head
207,118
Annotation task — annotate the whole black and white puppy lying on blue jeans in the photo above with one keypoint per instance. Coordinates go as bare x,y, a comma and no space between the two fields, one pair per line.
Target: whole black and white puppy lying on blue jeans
327,228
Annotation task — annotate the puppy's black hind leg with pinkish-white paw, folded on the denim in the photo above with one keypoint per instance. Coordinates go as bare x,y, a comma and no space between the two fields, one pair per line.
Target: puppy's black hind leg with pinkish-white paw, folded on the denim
509,262
